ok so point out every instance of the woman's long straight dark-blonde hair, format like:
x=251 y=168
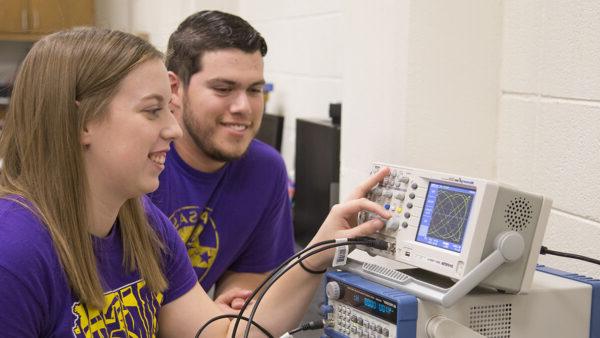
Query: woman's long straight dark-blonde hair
x=67 y=80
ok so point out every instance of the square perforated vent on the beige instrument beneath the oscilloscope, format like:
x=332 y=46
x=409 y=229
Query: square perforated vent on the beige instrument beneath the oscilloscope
x=491 y=321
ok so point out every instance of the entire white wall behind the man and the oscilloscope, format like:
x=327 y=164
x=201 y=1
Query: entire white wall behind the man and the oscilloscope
x=500 y=89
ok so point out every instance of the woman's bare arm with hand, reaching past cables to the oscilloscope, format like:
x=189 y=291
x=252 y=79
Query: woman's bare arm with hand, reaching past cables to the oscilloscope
x=285 y=303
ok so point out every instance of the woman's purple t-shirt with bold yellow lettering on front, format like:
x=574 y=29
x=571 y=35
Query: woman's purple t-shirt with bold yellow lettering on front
x=35 y=297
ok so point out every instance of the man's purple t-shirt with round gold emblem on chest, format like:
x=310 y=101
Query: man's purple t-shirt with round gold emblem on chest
x=238 y=218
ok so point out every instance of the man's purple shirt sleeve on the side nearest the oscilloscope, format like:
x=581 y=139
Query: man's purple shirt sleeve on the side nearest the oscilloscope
x=273 y=241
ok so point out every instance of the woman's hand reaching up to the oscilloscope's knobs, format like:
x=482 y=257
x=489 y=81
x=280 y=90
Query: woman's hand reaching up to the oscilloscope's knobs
x=342 y=219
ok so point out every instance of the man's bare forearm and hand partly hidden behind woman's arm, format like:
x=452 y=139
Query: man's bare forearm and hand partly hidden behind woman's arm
x=233 y=288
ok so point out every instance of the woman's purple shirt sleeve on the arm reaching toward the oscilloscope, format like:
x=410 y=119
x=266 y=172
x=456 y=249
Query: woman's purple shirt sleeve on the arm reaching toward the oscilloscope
x=176 y=263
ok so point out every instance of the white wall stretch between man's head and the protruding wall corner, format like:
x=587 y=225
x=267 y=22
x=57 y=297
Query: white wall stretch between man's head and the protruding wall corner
x=304 y=61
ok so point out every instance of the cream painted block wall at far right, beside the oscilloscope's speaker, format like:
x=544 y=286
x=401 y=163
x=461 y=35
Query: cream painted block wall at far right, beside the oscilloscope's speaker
x=549 y=127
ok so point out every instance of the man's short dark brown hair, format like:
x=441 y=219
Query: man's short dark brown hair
x=209 y=31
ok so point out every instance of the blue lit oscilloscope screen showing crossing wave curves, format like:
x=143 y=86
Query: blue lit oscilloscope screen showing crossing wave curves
x=445 y=216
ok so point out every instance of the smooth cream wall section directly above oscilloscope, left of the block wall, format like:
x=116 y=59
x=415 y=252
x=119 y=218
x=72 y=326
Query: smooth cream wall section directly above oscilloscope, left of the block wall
x=422 y=84
